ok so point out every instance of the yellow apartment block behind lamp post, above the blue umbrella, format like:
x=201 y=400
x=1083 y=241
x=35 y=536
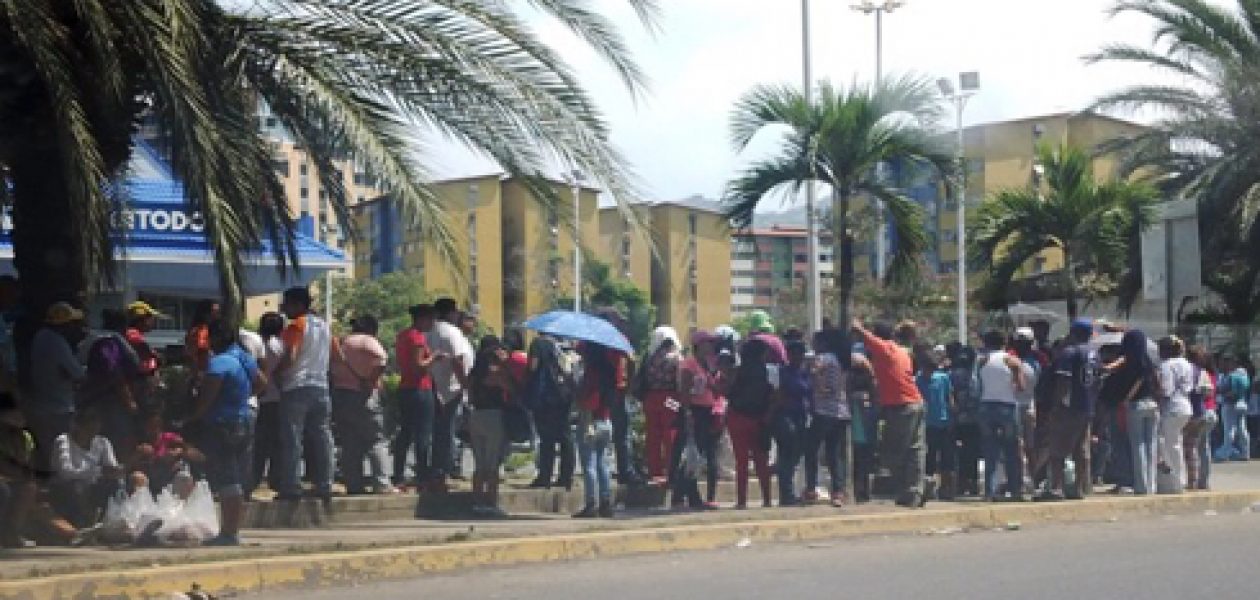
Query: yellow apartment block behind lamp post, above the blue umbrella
x=539 y=246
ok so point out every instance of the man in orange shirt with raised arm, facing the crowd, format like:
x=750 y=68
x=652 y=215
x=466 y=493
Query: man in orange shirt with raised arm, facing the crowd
x=902 y=409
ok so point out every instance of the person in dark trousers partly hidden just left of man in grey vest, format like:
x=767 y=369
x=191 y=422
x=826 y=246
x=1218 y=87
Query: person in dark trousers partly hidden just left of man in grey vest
x=265 y=457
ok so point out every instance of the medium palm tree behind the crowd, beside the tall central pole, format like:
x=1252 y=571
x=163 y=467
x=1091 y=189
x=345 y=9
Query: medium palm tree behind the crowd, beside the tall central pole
x=840 y=141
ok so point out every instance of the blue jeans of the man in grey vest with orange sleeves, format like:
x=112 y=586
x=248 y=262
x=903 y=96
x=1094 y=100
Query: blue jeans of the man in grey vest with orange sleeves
x=306 y=427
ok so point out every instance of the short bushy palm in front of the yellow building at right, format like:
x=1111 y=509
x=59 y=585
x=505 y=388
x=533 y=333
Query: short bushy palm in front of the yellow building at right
x=1096 y=226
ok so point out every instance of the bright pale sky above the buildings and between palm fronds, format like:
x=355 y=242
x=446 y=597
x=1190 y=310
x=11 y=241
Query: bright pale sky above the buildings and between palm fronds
x=707 y=54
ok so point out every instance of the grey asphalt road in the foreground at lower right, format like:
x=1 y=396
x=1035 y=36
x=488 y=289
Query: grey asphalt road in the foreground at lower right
x=1152 y=559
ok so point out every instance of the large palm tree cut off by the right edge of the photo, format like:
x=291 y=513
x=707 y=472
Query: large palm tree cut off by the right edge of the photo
x=1204 y=143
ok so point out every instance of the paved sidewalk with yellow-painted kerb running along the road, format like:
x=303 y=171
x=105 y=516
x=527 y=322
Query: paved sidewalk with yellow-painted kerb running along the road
x=395 y=549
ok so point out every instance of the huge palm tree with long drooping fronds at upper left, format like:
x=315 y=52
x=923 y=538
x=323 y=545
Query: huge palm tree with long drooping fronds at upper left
x=366 y=79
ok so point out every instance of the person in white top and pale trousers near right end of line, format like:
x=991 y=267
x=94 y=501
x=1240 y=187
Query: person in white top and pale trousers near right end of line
x=1179 y=383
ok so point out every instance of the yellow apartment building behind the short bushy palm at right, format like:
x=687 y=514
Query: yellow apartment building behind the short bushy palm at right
x=1002 y=156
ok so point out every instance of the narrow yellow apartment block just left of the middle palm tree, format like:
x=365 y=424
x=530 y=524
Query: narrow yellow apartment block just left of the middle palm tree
x=691 y=278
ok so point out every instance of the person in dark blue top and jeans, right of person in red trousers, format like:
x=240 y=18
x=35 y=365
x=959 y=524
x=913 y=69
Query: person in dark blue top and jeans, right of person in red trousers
x=791 y=420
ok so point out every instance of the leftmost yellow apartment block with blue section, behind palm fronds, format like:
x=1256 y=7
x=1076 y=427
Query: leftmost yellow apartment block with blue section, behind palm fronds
x=389 y=244
